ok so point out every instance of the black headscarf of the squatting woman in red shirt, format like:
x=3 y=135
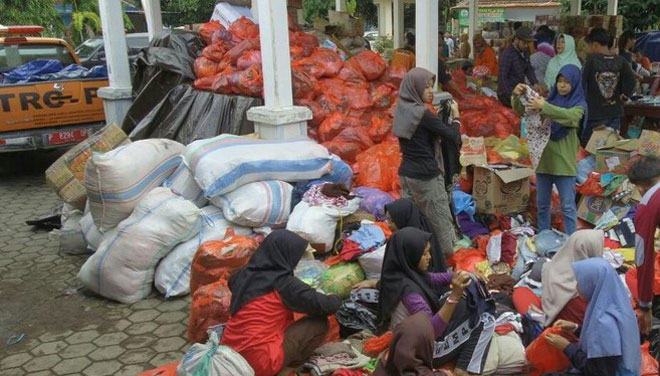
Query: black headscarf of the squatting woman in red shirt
x=269 y=269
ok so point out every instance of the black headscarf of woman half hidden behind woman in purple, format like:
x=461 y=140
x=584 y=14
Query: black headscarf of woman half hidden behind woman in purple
x=404 y=213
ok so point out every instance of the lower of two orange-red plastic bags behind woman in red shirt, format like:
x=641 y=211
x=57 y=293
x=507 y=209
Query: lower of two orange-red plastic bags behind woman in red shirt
x=210 y=307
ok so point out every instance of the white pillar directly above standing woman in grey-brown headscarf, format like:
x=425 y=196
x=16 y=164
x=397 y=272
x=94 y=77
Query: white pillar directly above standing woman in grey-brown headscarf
x=426 y=36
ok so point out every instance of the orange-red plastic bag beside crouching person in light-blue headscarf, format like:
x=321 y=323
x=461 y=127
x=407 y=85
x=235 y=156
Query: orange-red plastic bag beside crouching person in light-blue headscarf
x=544 y=358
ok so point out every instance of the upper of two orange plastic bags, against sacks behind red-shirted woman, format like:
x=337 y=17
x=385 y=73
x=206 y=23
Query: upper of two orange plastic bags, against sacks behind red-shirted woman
x=219 y=259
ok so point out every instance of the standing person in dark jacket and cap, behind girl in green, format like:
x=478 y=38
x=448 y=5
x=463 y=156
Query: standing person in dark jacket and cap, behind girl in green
x=515 y=66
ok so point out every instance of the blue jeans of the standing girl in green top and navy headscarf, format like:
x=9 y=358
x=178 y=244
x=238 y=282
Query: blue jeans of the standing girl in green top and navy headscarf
x=566 y=187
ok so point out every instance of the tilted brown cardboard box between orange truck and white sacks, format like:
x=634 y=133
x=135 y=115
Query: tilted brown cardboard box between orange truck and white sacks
x=66 y=175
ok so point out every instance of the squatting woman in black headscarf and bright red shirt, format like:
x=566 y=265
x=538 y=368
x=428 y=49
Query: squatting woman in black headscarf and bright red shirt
x=264 y=296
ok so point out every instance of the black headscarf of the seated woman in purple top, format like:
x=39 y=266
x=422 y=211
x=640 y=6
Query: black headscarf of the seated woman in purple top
x=400 y=276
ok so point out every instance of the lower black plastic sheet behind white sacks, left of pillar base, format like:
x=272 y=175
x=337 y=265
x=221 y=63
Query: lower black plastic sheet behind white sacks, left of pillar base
x=186 y=115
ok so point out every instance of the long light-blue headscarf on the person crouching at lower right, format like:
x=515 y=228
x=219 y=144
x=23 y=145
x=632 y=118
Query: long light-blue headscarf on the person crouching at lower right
x=610 y=325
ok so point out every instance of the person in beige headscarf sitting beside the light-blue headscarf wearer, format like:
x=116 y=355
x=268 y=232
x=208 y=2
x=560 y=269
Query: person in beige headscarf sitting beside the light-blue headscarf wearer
x=560 y=299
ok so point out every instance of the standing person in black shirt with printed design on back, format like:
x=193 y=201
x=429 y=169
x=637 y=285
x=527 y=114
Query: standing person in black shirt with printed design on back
x=608 y=80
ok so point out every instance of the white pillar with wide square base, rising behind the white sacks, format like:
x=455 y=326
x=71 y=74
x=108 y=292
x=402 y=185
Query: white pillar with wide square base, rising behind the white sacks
x=278 y=118
